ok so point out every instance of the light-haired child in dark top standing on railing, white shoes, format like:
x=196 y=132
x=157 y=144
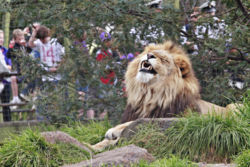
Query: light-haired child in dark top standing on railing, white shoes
x=15 y=54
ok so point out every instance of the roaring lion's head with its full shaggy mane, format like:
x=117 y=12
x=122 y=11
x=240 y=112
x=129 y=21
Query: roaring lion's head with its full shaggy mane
x=160 y=82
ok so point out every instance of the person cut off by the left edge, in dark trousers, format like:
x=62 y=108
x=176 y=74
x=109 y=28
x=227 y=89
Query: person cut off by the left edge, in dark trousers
x=5 y=88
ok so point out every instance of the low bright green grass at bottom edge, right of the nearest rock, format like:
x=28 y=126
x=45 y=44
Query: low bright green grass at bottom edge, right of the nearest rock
x=173 y=161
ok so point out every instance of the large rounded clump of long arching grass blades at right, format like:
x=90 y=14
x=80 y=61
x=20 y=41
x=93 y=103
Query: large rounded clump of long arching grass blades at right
x=211 y=138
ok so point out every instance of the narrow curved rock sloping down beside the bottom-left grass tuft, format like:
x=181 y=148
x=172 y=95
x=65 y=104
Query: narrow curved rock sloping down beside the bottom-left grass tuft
x=55 y=136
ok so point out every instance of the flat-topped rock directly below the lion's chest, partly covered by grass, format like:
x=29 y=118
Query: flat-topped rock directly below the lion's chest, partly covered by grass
x=163 y=124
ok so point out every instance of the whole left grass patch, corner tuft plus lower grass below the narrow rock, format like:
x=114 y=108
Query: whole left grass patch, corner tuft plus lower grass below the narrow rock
x=30 y=149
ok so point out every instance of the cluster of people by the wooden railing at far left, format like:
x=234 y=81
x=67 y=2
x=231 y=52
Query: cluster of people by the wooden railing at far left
x=35 y=41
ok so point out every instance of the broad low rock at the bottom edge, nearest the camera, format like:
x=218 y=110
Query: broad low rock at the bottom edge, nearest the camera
x=124 y=156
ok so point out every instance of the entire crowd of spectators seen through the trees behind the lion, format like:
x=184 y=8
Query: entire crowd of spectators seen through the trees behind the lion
x=36 y=40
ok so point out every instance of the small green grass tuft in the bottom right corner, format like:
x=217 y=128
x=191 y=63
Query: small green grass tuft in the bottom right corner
x=243 y=159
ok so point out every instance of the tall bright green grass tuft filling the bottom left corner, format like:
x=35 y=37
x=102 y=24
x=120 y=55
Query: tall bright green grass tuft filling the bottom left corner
x=29 y=149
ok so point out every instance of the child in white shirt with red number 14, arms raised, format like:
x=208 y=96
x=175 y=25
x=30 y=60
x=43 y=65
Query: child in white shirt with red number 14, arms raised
x=50 y=51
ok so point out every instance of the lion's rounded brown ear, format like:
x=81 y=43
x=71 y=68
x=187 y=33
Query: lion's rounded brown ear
x=184 y=65
